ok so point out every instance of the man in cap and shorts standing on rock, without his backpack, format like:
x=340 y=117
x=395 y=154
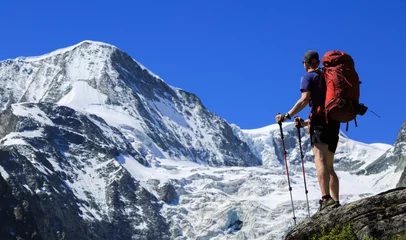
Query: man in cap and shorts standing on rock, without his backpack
x=323 y=135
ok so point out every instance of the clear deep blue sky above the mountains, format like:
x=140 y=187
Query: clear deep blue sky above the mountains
x=242 y=58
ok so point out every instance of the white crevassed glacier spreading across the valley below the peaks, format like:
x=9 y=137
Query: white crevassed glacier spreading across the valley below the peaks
x=212 y=199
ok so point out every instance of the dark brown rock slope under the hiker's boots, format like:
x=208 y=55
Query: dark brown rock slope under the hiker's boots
x=380 y=216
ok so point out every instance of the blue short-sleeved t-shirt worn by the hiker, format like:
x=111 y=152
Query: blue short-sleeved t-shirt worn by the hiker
x=310 y=82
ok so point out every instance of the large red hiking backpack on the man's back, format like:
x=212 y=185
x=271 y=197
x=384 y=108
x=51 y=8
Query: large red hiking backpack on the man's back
x=343 y=87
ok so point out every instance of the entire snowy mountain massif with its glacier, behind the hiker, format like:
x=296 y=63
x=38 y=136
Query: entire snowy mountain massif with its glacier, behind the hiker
x=102 y=148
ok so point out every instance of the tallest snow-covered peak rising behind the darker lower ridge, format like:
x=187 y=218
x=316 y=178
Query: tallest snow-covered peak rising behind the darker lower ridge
x=98 y=78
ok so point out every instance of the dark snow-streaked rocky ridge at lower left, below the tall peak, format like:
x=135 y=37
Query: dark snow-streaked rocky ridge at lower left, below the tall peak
x=64 y=180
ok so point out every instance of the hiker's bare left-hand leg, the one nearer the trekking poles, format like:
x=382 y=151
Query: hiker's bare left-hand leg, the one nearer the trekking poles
x=320 y=151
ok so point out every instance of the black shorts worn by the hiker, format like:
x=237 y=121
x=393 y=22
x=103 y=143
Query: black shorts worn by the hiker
x=322 y=132
